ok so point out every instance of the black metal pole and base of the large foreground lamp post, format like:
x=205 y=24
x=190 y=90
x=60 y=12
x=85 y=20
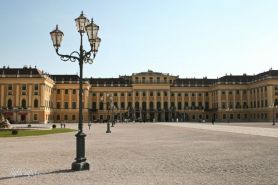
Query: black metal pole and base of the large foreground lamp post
x=80 y=160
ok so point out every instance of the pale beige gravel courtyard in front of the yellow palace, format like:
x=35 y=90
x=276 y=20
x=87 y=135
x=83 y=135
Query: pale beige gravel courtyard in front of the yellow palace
x=143 y=154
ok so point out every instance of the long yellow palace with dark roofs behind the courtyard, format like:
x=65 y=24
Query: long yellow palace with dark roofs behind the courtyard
x=29 y=95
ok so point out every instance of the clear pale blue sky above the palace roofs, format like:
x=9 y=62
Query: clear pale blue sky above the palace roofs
x=189 y=38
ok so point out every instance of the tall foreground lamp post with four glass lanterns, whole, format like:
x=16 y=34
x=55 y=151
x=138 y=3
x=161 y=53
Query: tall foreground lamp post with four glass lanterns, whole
x=83 y=25
